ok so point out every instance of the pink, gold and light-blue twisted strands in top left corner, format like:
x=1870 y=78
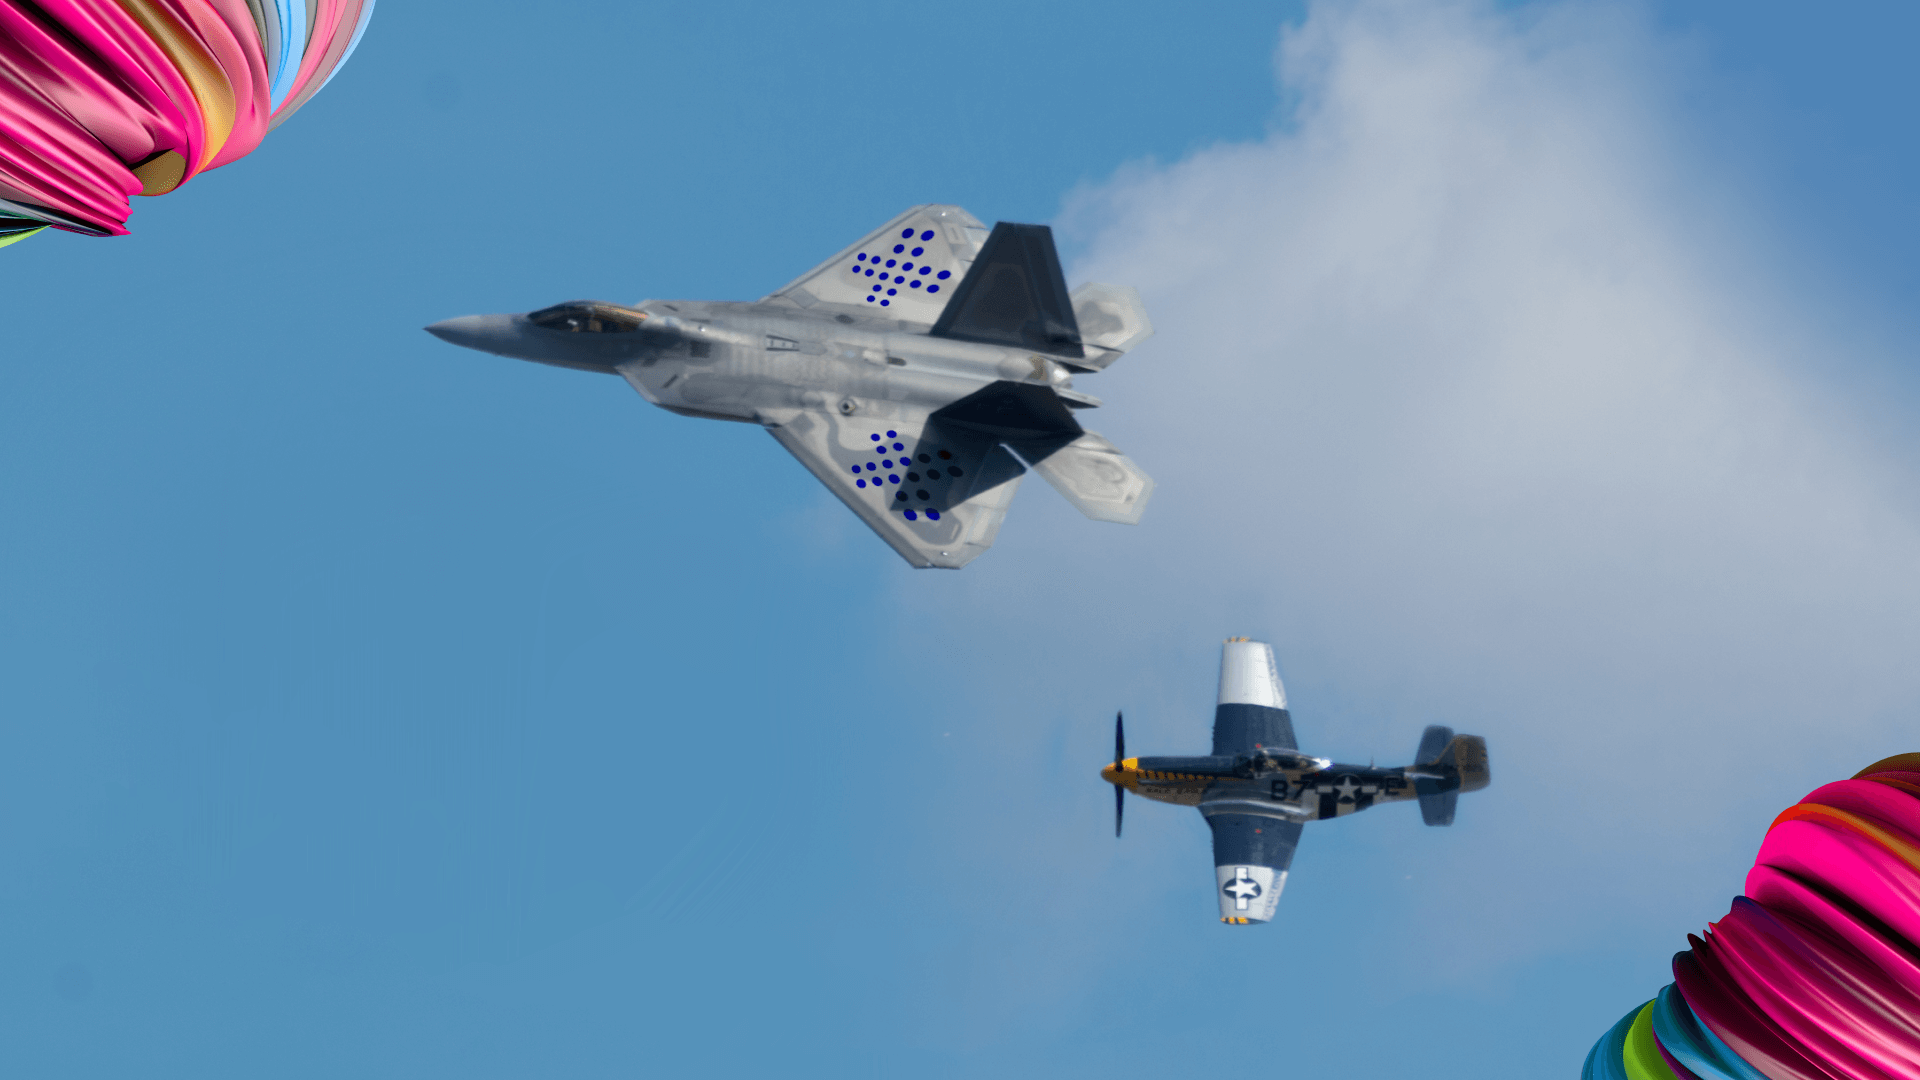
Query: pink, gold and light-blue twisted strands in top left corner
x=108 y=99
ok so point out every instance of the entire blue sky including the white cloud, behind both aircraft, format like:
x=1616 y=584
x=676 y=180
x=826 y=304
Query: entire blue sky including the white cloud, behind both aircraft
x=379 y=708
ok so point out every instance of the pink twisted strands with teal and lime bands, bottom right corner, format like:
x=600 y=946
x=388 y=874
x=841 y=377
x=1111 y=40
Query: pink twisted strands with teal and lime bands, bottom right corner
x=1815 y=973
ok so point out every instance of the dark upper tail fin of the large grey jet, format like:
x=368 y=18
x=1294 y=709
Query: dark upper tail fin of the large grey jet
x=1015 y=295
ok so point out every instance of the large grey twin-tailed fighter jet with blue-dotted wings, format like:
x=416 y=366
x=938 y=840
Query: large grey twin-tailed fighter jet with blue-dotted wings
x=919 y=374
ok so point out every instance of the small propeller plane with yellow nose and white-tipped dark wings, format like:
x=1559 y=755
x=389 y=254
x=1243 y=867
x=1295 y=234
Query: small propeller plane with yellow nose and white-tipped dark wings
x=1259 y=791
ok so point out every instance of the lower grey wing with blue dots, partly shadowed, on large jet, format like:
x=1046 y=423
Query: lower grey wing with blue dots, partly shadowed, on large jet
x=936 y=493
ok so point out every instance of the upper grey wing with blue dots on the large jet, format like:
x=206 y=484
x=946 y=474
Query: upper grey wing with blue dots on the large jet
x=909 y=266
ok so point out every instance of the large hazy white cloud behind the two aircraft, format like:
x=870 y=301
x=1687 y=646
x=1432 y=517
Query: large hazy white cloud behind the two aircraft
x=1474 y=393
